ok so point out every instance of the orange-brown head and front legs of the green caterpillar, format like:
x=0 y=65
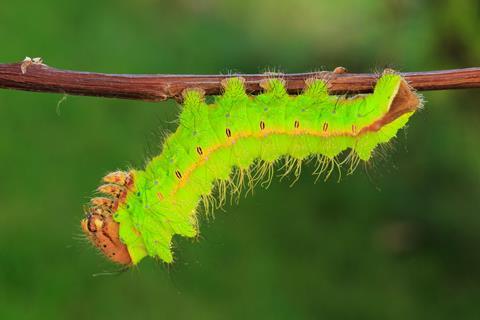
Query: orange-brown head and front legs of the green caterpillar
x=99 y=225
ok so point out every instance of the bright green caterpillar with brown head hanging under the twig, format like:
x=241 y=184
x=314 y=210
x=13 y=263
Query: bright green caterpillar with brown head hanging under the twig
x=233 y=142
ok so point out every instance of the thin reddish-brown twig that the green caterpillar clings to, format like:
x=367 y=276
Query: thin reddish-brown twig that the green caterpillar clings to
x=32 y=75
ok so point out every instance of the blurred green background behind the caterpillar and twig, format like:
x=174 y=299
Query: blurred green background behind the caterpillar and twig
x=398 y=240
